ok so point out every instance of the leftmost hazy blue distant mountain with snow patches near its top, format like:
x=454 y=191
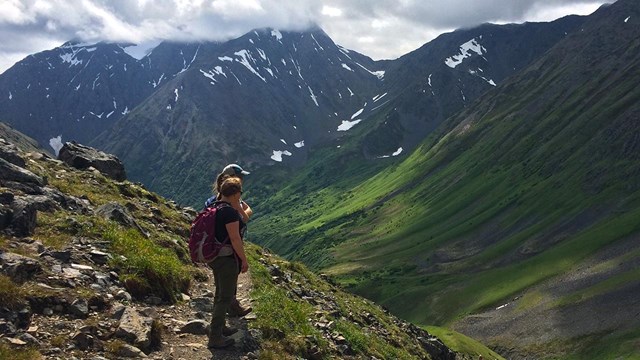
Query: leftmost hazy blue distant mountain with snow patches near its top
x=77 y=91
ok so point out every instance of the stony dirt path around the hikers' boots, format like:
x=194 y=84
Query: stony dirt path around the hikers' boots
x=194 y=347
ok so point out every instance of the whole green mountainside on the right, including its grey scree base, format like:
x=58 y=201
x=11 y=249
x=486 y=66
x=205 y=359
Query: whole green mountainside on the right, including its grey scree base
x=515 y=222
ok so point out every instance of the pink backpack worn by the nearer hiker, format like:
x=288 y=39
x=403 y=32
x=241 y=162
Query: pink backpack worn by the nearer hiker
x=203 y=245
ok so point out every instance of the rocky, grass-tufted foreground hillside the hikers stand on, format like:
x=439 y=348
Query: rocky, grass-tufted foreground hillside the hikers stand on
x=92 y=267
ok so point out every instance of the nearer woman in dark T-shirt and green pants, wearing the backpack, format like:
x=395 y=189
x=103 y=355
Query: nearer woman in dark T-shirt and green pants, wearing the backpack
x=229 y=223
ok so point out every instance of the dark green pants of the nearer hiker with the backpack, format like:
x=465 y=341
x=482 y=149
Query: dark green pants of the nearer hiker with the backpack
x=225 y=274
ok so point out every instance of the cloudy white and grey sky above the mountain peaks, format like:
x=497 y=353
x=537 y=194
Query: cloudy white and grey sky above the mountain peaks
x=381 y=29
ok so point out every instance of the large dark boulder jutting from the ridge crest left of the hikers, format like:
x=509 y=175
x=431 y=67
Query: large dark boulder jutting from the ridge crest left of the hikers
x=82 y=157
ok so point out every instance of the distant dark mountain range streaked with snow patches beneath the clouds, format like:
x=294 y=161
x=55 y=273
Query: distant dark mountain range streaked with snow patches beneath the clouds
x=178 y=114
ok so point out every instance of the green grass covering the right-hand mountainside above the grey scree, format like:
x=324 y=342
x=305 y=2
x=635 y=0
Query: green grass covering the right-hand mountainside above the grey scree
x=536 y=178
